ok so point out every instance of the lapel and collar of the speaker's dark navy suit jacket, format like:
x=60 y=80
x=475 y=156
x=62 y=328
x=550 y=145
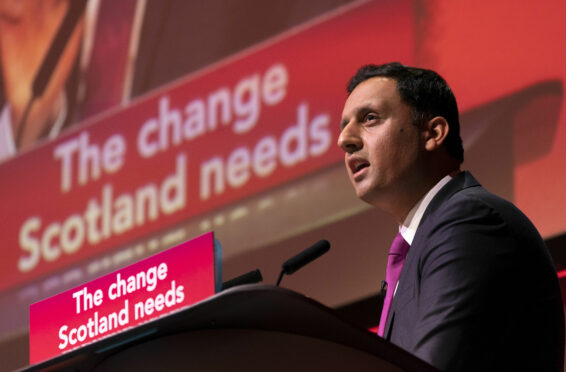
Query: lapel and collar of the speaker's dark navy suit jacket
x=404 y=293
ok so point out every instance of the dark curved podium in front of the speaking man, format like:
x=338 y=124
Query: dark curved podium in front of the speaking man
x=250 y=327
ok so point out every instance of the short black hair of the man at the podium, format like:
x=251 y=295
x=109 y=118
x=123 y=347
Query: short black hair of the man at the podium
x=426 y=92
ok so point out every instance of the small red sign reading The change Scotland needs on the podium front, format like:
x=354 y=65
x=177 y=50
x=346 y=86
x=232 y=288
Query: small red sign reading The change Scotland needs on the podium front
x=152 y=288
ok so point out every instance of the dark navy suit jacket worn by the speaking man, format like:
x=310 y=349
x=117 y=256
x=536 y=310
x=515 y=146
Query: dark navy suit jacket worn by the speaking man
x=478 y=290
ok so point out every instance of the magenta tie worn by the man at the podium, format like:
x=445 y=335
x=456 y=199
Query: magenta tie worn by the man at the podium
x=397 y=254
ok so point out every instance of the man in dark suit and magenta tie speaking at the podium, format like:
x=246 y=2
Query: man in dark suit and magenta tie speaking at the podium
x=470 y=284
